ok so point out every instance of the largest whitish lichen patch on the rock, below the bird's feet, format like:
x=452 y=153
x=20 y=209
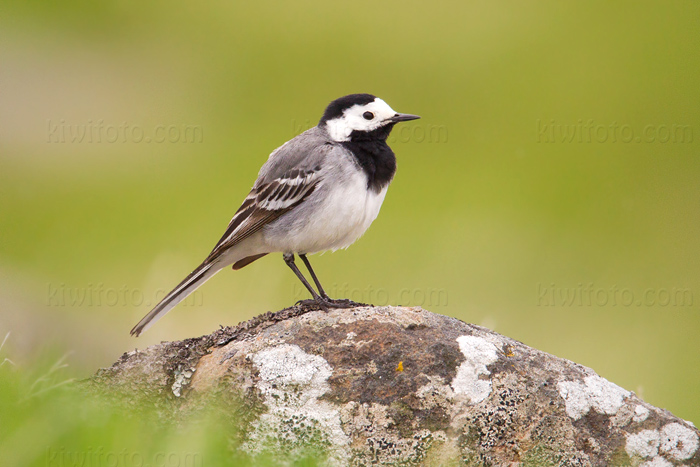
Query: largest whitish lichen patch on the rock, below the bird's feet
x=291 y=382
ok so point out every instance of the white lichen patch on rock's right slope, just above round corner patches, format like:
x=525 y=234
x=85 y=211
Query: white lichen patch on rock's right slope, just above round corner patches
x=593 y=393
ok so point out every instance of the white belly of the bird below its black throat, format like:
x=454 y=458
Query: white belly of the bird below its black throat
x=327 y=220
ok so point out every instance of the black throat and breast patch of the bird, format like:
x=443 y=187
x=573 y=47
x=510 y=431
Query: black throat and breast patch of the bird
x=374 y=156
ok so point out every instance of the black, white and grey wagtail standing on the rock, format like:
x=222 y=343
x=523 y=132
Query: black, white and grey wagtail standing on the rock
x=319 y=191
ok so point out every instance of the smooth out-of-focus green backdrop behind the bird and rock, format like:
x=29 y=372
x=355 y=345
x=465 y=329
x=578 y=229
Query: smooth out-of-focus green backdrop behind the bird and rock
x=557 y=154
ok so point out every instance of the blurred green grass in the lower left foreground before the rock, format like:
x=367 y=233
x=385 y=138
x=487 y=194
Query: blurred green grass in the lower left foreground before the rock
x=49 y=423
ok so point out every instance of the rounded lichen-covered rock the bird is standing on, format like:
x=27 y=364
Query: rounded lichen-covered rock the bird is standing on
x=392 y=385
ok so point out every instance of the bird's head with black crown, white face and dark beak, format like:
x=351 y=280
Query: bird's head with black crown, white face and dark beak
x=360 y=117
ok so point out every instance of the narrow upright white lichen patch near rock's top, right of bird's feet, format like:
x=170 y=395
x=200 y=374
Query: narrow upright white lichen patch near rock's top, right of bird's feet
x=478 y=353
